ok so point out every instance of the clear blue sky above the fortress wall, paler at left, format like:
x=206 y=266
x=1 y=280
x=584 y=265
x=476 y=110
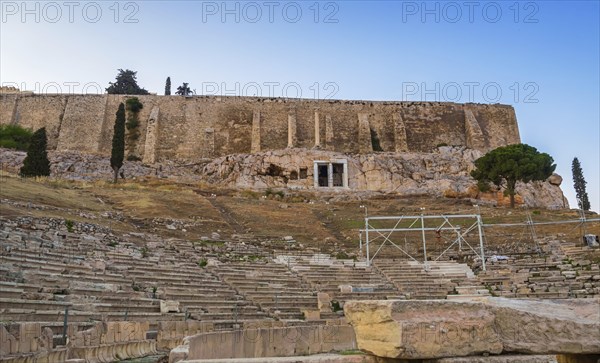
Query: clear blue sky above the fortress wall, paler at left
x=542 y=57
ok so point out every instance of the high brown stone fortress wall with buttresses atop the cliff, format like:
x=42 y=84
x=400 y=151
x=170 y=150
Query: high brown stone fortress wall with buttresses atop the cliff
x=191 y=128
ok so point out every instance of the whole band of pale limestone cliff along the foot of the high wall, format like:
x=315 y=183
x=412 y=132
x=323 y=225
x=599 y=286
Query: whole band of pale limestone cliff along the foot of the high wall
x=444 y=173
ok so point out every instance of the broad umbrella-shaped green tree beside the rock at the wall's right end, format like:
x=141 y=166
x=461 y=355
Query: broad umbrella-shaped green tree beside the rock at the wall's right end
x=506 y=165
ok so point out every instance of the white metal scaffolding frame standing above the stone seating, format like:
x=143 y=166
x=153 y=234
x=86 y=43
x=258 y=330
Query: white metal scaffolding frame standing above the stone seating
x=444 y=225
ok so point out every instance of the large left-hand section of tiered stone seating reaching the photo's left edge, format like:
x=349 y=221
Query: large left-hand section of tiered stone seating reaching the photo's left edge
x=43 y=275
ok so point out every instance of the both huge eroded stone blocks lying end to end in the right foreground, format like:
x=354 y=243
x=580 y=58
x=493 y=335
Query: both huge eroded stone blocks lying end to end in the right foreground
x=436 y=329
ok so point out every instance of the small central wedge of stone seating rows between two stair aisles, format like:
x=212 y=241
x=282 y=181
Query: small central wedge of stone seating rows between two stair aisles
x=271 y=286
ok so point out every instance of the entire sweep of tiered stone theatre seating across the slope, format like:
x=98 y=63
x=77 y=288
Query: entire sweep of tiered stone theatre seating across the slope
x=99 y=277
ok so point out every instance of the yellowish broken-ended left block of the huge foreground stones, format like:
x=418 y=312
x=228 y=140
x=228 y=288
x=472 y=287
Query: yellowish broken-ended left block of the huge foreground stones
x=422 y=329
